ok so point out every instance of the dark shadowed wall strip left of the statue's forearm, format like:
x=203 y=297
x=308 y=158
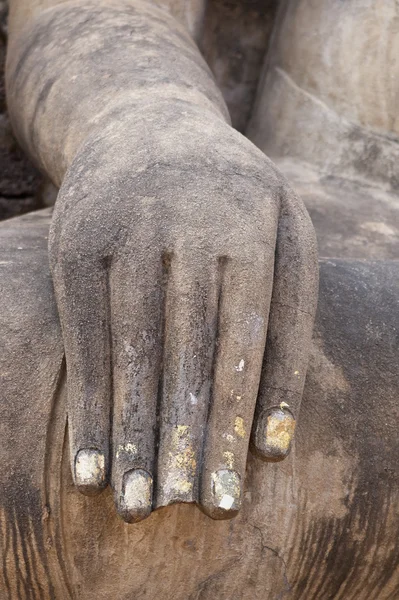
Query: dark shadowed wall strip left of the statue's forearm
x=19 y=181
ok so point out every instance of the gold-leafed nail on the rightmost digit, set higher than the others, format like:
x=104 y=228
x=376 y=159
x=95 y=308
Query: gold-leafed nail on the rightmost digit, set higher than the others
x=275 y=433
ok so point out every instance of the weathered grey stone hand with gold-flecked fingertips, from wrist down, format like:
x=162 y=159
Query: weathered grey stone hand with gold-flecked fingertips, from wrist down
x=171 y=268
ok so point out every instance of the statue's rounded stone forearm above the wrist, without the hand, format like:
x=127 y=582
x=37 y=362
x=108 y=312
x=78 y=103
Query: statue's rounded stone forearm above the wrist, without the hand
x=77 y=67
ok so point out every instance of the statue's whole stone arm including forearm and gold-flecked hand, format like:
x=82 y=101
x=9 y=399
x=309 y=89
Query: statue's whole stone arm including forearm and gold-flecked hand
x=184 y=267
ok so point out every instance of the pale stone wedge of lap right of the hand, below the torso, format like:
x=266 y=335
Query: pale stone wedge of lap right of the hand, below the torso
x=352 y=219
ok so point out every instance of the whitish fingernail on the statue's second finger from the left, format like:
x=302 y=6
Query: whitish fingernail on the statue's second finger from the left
x=136 y=501
